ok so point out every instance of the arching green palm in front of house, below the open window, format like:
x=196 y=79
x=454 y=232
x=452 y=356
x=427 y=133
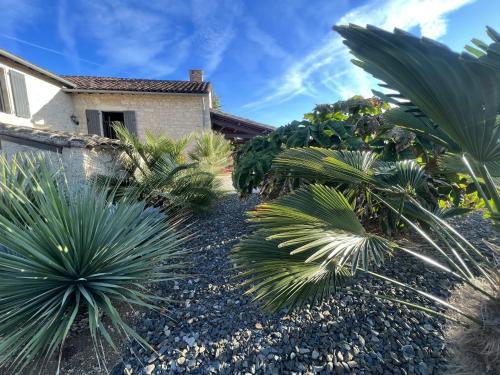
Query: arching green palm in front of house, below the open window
x=155 y=172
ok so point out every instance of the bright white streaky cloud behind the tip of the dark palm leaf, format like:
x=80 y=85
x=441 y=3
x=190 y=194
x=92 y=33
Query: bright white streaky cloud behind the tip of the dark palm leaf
x=329 y=67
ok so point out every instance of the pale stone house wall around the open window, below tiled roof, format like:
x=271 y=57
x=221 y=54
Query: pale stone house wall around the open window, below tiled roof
x=174 y=115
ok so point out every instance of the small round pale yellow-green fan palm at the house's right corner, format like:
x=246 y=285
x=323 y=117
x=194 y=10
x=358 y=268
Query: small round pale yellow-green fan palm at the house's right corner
x=211 y=151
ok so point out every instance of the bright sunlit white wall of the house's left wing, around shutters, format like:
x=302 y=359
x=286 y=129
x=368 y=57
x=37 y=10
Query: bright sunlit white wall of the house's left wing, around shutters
x=50 y=107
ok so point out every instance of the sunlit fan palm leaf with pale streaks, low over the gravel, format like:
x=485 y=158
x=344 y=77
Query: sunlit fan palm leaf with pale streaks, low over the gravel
x=308 y=240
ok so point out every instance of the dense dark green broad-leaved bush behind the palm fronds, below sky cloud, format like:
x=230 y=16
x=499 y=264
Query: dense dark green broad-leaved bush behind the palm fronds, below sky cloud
x=354 y=124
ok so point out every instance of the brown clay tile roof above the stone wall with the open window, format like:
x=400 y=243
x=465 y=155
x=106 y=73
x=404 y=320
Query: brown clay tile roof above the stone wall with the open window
x=137 y=85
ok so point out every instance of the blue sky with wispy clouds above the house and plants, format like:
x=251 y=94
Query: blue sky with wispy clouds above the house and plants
x=269 y=60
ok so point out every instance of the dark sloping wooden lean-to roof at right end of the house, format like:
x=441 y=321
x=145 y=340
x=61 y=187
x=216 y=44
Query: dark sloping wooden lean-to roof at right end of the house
x=235 y=128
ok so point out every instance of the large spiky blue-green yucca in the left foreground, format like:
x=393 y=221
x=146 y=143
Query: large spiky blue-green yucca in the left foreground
x=73 y=251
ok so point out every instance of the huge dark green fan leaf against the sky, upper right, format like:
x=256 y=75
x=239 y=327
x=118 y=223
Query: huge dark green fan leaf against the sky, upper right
x=458 y=93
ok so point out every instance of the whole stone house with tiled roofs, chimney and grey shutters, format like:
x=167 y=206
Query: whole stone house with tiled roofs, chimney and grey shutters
x=73 y=115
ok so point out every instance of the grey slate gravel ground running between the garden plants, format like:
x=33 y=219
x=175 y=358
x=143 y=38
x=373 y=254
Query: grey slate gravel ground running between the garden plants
x=215 y=329
